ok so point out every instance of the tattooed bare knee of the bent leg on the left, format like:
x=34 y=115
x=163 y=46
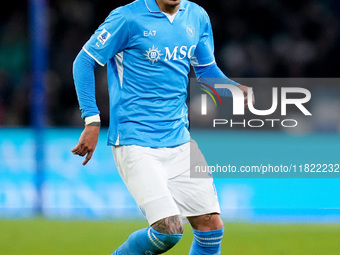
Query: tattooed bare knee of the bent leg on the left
x=169 y=225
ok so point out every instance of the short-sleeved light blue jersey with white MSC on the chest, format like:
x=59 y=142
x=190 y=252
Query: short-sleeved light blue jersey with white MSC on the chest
x=148 y=59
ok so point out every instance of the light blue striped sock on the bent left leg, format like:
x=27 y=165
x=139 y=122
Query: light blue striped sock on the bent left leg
x=147 y=241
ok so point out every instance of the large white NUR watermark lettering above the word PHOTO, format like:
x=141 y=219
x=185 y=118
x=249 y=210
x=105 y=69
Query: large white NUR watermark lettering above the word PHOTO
x=238 y=100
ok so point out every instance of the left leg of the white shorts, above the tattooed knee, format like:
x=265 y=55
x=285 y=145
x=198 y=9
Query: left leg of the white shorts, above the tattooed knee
x=144 y=176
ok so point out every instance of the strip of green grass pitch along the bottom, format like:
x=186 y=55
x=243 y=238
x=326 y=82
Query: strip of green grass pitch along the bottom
x=44 y=237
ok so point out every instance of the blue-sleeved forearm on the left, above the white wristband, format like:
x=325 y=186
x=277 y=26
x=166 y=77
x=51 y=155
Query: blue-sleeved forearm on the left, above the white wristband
x=84 y=80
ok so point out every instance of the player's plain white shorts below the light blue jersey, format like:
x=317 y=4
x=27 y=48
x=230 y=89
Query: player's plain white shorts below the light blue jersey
x=159 y=181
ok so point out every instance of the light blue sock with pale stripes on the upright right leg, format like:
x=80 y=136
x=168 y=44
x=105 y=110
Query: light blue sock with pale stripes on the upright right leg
x=207 y=242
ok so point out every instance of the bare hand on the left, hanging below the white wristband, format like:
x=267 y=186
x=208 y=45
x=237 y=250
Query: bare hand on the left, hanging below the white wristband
x=87 y=143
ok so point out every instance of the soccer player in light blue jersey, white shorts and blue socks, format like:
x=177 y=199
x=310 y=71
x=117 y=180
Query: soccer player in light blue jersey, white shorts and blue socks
x=148 y=46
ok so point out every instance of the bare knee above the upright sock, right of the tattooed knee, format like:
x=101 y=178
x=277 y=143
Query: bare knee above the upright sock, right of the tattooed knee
x=206 y=222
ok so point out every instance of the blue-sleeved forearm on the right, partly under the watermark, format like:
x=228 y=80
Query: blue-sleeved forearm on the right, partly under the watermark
x=212 y=75
